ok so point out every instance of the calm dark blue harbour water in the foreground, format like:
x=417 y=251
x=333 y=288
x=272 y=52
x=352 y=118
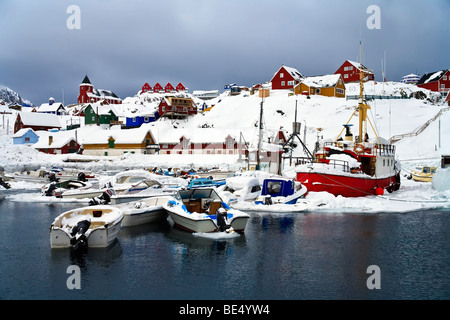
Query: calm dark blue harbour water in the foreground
x=297 y=256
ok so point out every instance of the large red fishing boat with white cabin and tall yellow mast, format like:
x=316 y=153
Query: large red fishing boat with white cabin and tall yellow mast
x=351 y=166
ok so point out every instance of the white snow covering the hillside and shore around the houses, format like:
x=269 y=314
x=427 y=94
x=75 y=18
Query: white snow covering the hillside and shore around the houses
x=240 y=113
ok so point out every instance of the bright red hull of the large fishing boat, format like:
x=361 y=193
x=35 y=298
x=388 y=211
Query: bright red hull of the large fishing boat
x=347 y=186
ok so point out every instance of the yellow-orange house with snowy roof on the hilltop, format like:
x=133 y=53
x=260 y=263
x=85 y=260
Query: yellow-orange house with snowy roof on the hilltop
x=331 y=85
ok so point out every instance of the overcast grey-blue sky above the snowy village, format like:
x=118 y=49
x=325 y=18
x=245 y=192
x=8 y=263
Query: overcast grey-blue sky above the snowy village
x=206 y=44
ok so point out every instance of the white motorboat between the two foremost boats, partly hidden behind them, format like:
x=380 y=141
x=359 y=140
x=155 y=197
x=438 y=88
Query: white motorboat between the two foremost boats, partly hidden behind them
x=143 y=211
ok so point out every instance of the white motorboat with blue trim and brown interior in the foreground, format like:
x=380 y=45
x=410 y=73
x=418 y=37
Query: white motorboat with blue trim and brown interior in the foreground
x=202 y=210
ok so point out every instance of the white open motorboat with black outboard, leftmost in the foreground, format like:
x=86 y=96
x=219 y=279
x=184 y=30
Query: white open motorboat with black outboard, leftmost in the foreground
x=93 y=226
